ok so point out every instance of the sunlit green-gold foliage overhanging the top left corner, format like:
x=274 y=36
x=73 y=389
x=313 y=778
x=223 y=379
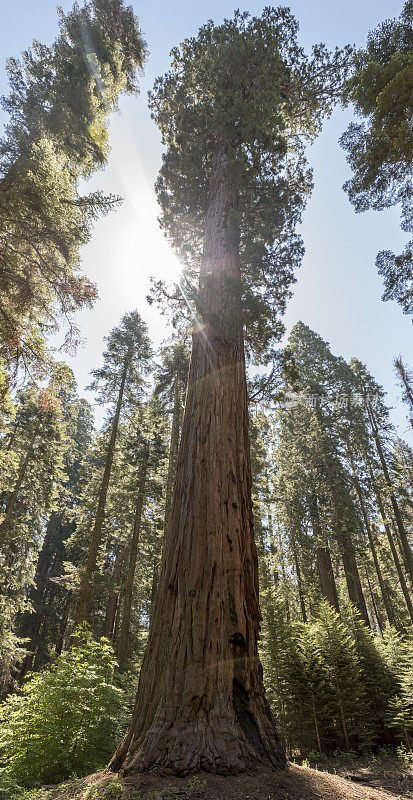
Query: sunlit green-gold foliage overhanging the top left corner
x=59 y=102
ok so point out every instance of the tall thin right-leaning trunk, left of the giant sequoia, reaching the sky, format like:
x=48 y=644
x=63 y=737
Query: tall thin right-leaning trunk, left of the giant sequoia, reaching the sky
x=85 y=598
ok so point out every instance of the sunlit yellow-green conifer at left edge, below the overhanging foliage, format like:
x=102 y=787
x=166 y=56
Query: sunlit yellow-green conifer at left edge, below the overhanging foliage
x=31 y=486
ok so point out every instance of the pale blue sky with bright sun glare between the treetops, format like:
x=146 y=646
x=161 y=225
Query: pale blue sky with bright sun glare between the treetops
x=338 y=290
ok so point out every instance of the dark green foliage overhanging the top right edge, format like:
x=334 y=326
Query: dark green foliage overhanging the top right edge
x=380 y=148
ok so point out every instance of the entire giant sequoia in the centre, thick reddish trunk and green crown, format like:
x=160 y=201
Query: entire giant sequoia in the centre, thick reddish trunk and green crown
x=234 y=110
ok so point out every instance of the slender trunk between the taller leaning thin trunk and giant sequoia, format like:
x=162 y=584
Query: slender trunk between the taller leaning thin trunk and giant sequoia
x=133 y=555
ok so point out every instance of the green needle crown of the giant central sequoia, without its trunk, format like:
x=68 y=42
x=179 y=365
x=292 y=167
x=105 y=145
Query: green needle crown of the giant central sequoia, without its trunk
x=246 y=92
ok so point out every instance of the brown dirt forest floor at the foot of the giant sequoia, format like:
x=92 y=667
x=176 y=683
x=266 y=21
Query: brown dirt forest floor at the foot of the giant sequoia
x=295 y=783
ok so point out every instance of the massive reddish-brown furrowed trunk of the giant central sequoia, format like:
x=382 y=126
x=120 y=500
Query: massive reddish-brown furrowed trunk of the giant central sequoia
x=200 y=702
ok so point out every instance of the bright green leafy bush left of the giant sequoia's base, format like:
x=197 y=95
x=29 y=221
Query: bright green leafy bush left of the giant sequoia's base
x=66 y=720
